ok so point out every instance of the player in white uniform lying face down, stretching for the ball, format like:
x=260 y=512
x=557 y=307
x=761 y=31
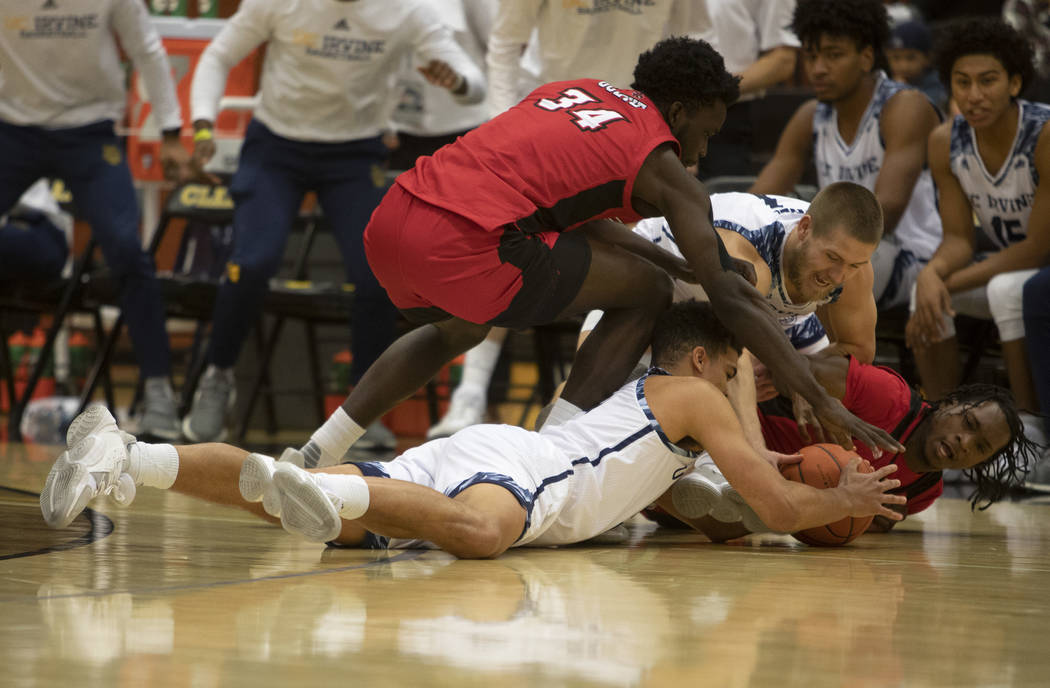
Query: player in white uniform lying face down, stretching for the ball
x=490 y=488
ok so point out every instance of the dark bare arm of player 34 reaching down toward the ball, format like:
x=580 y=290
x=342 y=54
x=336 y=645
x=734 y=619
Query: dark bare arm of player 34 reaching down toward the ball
x=664 y=186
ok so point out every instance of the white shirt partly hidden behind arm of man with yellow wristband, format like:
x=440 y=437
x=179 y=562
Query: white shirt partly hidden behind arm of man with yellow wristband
x=429 y=111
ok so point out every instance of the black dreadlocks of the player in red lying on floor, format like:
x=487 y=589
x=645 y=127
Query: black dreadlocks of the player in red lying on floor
x=1007 y=468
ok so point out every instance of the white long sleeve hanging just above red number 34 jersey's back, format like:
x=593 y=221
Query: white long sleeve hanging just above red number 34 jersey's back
x=514 y=26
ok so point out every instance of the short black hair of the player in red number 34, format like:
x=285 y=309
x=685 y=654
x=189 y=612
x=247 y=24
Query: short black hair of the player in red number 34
x=685 y=70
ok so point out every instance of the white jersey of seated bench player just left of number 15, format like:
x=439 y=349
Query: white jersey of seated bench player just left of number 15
x=919 y=228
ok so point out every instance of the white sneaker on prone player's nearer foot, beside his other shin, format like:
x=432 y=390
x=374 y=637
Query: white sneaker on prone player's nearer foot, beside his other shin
x=307 y=509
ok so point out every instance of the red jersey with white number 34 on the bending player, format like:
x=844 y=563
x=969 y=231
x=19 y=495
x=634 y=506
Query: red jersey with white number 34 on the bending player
x=568 y=154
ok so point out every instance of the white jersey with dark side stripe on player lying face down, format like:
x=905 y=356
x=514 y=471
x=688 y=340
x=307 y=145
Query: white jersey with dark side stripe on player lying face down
x=618 y=462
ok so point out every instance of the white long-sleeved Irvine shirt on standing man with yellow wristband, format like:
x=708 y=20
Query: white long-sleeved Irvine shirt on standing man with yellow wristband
x=331 y=68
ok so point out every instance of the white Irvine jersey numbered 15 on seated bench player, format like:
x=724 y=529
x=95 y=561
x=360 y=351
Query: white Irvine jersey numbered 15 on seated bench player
x=1003 y=200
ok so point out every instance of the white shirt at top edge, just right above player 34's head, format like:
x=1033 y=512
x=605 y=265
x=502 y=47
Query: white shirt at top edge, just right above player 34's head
x=744 y=30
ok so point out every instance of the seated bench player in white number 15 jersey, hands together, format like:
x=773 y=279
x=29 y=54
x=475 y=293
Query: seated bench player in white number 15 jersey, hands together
x=993 y=161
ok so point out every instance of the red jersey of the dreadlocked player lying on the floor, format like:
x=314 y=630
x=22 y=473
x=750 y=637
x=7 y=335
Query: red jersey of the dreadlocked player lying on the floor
x=874 y=394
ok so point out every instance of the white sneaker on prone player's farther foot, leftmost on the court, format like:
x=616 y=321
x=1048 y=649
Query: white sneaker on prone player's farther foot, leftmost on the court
x=95 y=466
